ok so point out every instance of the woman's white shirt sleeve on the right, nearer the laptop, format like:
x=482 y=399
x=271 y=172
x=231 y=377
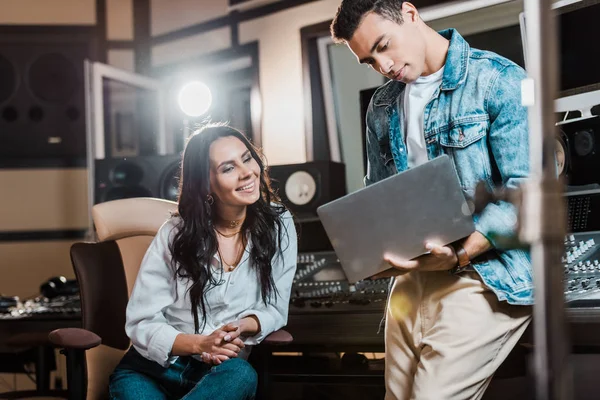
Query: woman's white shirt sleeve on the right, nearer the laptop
x=274 y=315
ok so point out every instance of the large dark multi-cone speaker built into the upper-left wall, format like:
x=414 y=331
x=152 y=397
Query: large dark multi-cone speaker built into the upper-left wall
x=42 y=98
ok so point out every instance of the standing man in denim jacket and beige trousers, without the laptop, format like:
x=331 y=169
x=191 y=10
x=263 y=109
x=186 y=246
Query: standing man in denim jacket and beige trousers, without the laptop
x=454 y=314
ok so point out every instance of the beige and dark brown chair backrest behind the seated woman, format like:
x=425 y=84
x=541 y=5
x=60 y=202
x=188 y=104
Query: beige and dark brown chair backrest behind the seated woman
x=107 y=271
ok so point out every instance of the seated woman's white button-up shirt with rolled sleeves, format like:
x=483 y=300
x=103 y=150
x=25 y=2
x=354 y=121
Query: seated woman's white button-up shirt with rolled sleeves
x=159 y=308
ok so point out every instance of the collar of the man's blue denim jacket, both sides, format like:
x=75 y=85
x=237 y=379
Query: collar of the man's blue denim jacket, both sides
x=455 y=69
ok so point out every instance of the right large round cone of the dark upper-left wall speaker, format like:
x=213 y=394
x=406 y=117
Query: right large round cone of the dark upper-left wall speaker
x=52 y=78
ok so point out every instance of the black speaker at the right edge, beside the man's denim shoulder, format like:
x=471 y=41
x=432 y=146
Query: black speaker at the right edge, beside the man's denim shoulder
x=579 y=141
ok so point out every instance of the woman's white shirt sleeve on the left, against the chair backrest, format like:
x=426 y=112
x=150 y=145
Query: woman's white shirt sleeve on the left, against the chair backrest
x=154 y=290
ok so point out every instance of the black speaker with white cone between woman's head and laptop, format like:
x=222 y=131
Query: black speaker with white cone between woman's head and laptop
x=305 y=187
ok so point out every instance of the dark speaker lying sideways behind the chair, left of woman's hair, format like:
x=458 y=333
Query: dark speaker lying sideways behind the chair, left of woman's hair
x=146 y=176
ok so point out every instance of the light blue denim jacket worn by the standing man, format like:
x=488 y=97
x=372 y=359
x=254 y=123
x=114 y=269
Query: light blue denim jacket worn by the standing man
x=475 y=117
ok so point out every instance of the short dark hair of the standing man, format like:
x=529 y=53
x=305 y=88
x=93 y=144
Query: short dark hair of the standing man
x=351 y=13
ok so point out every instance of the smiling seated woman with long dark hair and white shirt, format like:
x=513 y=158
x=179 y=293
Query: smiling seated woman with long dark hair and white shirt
x=215 y=280
